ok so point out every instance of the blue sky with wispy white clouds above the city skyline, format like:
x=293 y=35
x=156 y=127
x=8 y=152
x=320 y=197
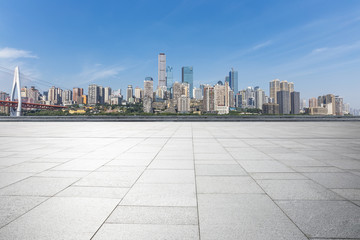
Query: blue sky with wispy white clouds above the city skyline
x=313 y=43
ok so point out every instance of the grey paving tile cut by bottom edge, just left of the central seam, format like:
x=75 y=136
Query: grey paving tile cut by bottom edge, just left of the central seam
x=147 y=232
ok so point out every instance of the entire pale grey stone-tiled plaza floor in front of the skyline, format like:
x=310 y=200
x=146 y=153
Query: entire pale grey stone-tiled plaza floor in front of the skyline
x=166 y=180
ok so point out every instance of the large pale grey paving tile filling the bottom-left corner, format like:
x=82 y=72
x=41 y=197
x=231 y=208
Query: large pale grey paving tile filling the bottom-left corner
x=61 y=218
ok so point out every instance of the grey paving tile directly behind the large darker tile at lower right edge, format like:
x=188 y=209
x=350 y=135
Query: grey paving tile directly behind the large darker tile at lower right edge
x=296 y=189
